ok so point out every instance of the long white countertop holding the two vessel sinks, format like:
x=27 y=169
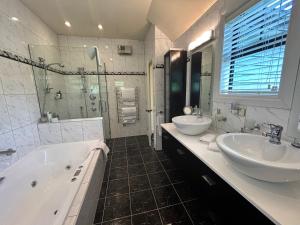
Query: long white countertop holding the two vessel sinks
x=280 y=202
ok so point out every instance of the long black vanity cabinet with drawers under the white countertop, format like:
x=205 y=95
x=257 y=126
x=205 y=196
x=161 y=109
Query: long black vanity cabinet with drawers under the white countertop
x=217 y=199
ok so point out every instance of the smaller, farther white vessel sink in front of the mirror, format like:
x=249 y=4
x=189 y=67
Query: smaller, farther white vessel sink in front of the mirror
x=191 y=125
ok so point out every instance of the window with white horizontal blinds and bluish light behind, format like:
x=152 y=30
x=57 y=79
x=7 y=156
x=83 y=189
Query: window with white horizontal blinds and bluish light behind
x=254 y=47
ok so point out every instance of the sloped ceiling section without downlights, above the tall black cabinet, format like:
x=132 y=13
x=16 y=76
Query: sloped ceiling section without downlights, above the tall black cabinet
x=174 y=17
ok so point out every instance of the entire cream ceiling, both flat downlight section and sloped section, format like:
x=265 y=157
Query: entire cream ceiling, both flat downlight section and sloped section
x=119 y=20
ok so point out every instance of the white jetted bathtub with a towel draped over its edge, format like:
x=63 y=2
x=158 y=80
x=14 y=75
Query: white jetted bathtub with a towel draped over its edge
x=41 y=188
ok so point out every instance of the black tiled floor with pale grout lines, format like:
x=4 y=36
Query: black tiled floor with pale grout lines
x=143 y=187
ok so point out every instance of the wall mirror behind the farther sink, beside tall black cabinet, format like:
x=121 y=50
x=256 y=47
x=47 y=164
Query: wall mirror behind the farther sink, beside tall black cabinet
x=201 y=79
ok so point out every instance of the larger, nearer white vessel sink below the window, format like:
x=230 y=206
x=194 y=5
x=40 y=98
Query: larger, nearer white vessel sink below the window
x=256 y=157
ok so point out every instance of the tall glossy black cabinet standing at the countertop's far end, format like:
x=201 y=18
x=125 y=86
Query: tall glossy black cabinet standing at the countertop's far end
x=175 y=83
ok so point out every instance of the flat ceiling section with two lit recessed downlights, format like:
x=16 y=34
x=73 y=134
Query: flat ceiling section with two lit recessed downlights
x=119 y=20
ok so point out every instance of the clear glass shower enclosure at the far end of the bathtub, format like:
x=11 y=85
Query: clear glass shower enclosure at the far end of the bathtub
x=72 y=83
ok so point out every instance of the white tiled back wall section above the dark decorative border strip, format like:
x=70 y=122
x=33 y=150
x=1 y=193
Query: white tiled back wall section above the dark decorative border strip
x=74 y=58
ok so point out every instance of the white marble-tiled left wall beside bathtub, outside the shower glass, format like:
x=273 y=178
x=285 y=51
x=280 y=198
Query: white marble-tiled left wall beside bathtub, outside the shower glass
x=19 y=109
